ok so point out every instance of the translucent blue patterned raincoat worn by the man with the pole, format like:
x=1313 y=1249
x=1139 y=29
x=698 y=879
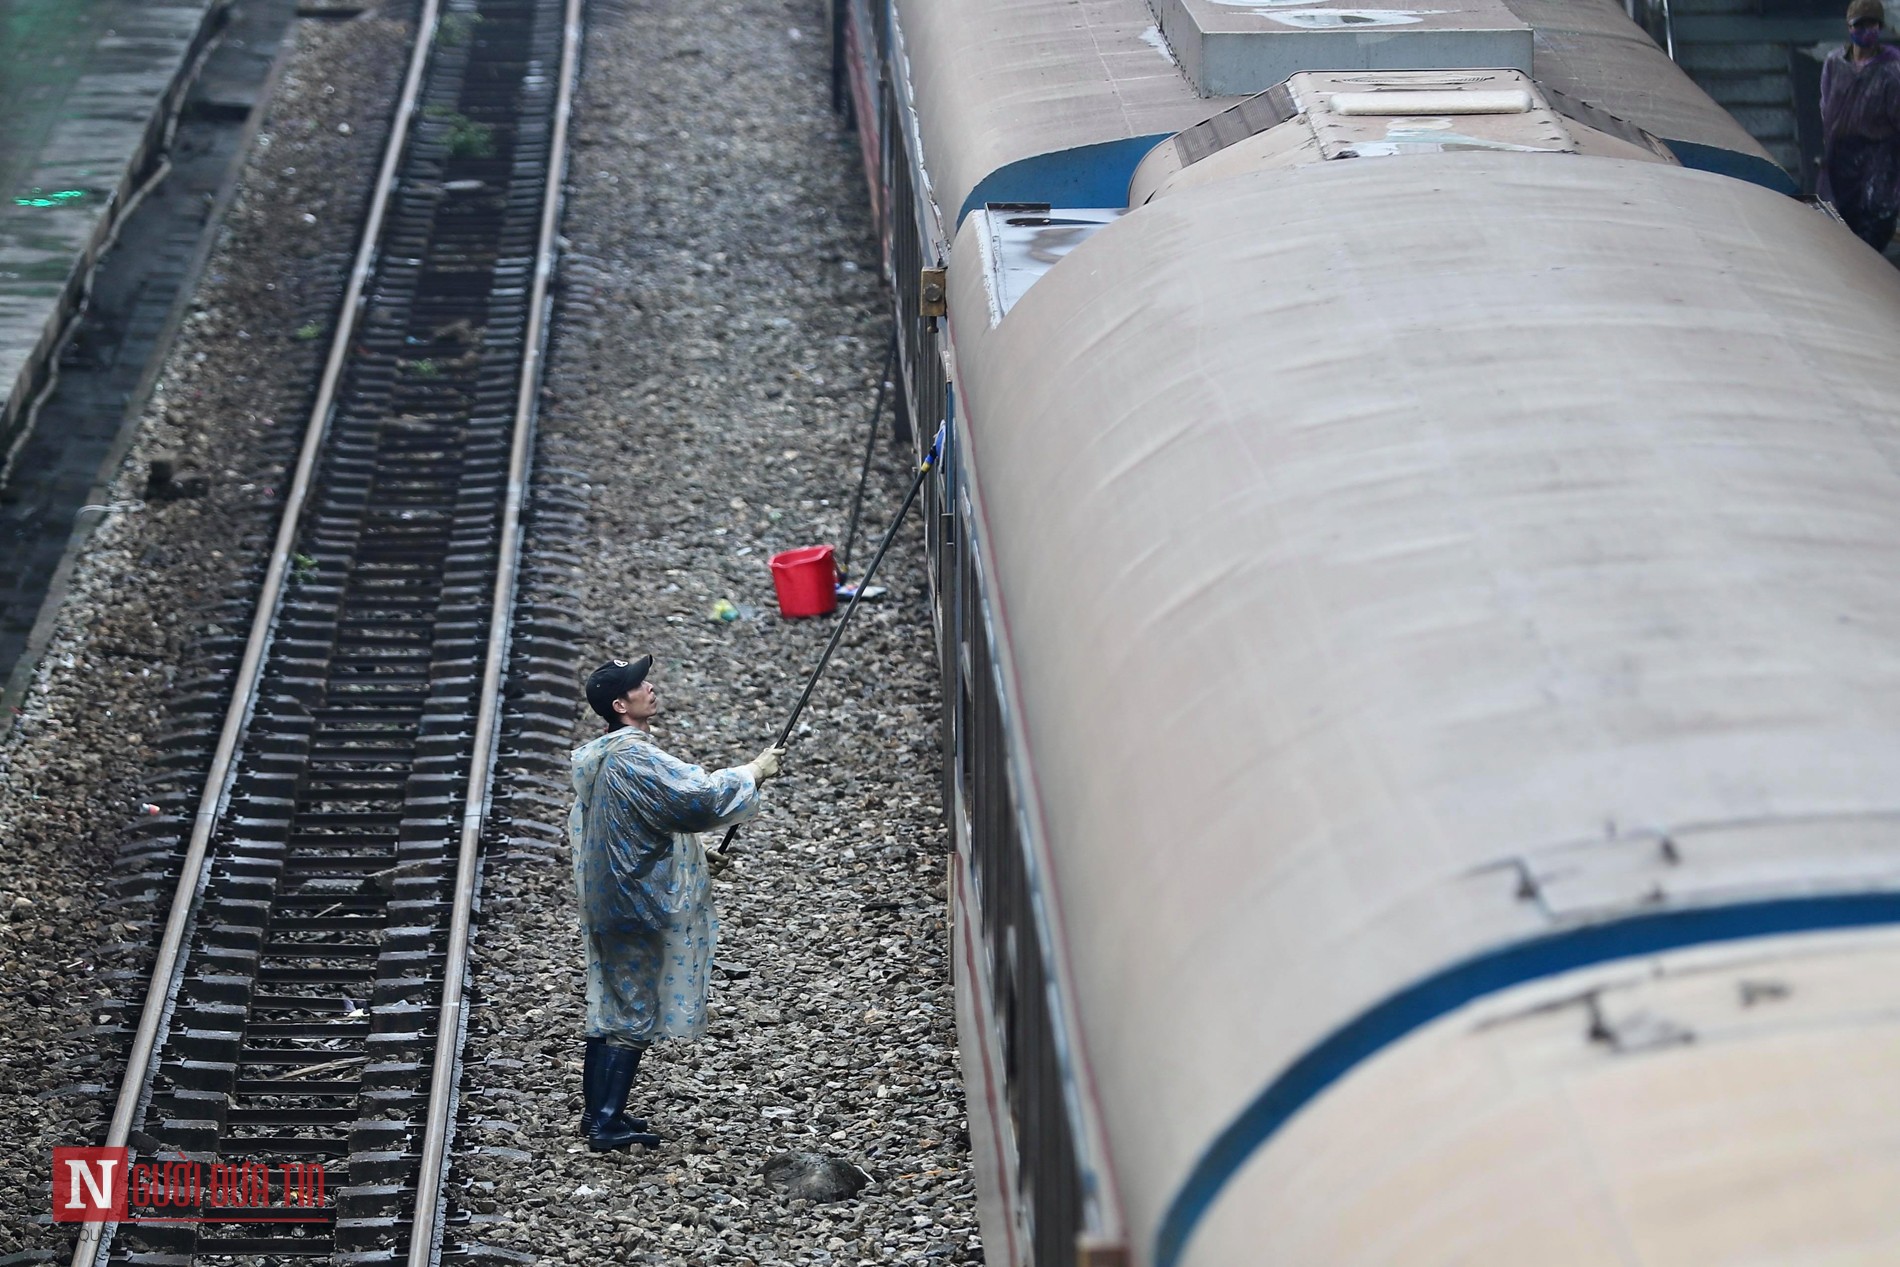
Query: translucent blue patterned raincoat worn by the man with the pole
x=643 y=882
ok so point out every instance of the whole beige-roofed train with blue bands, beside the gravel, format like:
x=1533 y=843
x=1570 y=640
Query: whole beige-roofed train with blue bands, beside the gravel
x=1420 y=690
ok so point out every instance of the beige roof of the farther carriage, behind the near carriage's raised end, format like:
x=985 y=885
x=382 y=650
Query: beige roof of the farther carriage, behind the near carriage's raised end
x=1004 y=83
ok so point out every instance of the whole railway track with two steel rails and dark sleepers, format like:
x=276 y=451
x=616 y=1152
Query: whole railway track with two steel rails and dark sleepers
x=309 y=994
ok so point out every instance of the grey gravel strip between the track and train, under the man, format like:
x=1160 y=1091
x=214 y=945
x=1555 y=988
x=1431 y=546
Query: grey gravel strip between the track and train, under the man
x=723 y=330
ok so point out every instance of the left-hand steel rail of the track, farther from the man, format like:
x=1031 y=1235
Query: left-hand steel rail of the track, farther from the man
x=162 y=991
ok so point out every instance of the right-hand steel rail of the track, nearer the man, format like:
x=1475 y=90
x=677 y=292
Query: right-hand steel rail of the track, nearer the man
x=427 y=1226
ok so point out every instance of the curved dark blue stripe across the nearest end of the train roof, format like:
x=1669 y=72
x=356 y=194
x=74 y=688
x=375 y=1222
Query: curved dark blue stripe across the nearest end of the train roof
x=1473 y=979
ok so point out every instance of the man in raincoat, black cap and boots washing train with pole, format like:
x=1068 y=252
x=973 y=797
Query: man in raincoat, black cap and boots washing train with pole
x=645 y=892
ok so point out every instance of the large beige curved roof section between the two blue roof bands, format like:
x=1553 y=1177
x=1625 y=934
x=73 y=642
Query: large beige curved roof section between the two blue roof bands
x=1397 y=563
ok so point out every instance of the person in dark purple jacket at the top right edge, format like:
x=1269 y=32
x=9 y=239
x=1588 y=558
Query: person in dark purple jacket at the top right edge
x=1861 y=128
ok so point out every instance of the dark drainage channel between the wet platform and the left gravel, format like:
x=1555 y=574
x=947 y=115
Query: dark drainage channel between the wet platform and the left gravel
x=109 y=364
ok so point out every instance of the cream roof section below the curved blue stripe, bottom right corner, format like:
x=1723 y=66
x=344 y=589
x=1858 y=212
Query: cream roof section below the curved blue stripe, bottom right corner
x=1724 y=1105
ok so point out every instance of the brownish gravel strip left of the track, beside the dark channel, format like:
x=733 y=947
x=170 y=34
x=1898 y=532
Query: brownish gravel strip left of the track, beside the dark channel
x=79 y=763
